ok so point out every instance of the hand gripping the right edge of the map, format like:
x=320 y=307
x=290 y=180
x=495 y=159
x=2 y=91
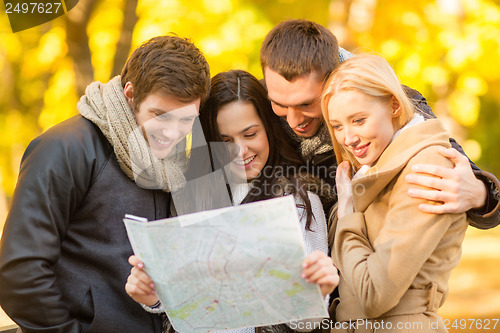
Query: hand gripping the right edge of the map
x=319 y=269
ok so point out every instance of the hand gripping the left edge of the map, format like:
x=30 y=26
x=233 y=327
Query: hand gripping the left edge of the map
x=139 y=285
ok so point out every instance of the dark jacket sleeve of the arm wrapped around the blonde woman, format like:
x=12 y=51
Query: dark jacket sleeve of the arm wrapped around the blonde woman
x=488 y=216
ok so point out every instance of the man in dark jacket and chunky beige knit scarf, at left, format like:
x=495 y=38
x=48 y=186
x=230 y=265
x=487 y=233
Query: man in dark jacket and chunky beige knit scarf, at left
x=64 y=251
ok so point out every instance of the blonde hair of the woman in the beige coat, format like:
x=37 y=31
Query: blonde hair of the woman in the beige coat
x=371 y=75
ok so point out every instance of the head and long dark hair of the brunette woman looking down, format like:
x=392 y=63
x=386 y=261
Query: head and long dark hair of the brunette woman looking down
x=238 y=97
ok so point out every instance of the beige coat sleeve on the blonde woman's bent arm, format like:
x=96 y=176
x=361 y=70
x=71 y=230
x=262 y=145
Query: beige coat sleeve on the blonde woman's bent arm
x=379 y=271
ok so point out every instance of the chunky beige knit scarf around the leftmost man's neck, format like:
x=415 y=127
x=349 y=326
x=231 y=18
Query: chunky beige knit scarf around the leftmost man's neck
x=105 y=105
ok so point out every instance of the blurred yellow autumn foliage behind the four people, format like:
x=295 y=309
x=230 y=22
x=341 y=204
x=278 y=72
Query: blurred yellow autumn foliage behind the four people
x=447 y=49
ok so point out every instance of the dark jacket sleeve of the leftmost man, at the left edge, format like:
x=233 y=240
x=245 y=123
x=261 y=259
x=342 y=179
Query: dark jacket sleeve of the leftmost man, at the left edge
x=54 y=176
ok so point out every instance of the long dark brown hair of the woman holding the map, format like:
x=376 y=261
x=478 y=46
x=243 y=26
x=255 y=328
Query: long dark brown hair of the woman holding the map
x=283 y=162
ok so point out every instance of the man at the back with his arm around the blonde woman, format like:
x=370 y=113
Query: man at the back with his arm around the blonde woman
x=296 y=58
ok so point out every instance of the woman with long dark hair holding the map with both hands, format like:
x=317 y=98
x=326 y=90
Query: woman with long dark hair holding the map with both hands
x=238 y=112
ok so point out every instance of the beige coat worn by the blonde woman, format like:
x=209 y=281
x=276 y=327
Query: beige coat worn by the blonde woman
x=395 y=260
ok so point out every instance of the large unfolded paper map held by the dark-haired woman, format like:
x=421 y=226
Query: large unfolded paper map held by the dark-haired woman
x=229 y=268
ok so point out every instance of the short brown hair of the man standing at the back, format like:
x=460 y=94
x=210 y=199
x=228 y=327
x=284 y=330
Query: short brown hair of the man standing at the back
x=298 y=47
